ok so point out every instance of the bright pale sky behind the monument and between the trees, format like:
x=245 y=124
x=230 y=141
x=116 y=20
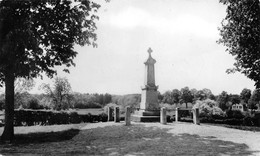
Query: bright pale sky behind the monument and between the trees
x=182 y=35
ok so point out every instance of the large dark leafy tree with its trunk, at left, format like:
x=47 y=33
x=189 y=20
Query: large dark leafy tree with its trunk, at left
x=36 y=36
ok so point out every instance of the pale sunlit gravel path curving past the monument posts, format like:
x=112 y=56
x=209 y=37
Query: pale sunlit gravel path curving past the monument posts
x=251 y=139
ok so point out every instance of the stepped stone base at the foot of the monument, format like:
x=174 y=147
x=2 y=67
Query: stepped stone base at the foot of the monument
x=146 y=116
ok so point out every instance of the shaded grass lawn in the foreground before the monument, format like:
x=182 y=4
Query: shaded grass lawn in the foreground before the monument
x=116 y=140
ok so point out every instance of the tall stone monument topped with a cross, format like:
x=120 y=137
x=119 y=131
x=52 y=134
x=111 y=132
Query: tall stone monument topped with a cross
x=149 y=107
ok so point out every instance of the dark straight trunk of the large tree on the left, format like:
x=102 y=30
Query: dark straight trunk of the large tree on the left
x=8 y=134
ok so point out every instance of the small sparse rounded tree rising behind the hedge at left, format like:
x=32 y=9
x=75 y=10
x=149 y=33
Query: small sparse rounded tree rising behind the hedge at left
x=60 y=93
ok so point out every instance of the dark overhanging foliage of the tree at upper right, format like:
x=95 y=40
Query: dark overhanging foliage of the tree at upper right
x=240 y=33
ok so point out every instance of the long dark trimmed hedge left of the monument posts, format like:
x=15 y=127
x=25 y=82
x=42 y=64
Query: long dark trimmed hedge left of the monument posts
x=34 y=117
